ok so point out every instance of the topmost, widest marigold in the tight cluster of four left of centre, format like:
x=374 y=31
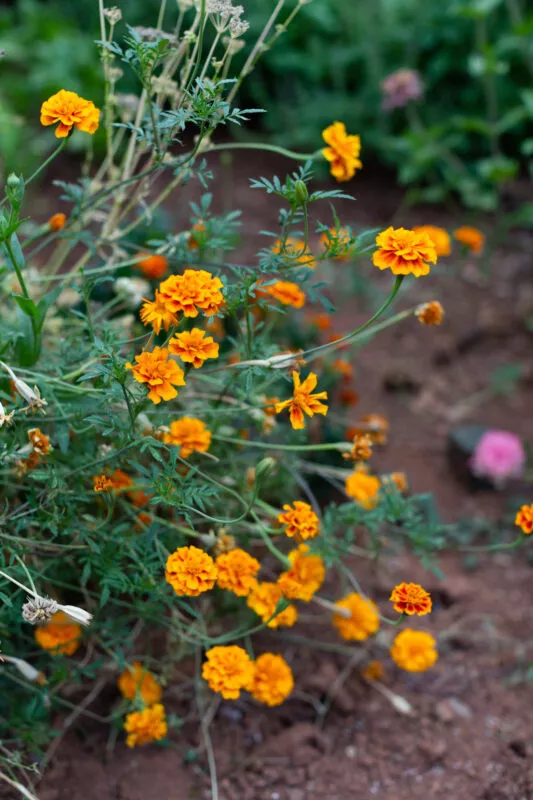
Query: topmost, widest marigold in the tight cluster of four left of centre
x=194 y=291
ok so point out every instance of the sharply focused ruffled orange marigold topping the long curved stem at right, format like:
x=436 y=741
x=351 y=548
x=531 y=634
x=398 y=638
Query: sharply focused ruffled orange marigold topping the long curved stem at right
x=404 y=252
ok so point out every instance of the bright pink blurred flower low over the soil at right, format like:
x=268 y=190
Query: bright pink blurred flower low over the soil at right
x=499 y=455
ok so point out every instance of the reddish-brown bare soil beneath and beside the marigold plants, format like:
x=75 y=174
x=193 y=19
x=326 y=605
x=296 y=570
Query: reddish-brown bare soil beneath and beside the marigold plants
x=470 y=733
